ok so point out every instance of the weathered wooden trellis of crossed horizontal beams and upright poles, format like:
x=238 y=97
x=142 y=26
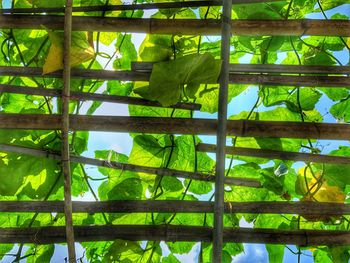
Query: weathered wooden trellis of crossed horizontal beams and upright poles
x=234 y=73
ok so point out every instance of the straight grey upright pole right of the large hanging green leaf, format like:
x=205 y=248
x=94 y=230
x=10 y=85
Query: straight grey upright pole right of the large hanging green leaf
x=221 y=132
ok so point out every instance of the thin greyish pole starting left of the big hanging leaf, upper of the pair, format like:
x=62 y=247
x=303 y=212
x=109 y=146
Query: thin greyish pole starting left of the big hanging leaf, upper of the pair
x=265 y=68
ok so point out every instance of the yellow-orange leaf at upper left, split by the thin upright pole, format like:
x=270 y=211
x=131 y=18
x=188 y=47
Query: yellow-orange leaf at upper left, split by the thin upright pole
x=81 y=51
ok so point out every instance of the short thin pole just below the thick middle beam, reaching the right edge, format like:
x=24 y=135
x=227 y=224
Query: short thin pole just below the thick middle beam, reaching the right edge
x=281 y=155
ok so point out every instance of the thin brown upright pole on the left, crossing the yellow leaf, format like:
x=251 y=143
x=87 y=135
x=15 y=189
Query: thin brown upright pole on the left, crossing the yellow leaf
x=65 y=132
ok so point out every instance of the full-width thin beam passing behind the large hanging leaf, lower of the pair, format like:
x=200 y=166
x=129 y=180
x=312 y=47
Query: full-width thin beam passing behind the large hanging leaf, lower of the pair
x=136 y=75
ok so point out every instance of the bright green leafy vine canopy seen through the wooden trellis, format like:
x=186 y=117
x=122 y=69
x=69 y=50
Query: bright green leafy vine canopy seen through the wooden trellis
x=186 y=69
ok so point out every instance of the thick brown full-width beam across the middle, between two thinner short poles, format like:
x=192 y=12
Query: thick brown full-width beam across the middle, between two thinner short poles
x=241 y=128
